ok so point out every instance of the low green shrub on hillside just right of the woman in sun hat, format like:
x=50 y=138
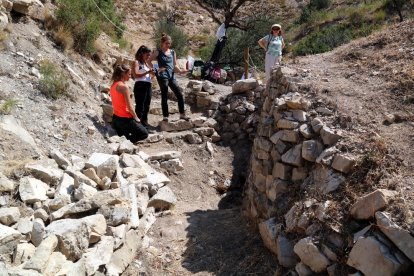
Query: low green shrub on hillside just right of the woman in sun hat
x=323 y=41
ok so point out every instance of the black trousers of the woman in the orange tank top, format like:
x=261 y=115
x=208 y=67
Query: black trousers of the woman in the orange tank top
x=129 y=128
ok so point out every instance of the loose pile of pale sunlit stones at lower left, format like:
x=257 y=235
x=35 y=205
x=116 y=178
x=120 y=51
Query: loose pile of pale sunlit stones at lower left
x=83 y=217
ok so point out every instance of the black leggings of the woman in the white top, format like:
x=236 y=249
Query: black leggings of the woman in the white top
x=142 y=93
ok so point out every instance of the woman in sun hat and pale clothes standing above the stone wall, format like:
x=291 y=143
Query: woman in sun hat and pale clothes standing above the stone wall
x=273 y=44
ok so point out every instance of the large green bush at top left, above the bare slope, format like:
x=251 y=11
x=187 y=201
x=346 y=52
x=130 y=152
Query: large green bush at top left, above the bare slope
x=85 y=22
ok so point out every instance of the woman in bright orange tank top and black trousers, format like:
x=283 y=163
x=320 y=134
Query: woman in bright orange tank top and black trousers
x=125 y=121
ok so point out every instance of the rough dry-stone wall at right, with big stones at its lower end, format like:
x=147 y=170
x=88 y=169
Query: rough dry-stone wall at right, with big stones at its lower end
x=297 y=171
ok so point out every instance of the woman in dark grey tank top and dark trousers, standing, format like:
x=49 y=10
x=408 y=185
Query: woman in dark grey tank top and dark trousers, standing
x=167 y=65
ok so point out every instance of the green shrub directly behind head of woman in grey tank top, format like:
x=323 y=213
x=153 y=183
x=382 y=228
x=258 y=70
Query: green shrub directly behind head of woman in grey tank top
x=179 y=38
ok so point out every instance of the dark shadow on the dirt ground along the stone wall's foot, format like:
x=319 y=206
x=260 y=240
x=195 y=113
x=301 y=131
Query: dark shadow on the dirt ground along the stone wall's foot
x=221 y=242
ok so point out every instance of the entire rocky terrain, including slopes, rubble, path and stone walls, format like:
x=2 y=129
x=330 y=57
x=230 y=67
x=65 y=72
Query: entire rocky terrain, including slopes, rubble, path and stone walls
x=310 y=173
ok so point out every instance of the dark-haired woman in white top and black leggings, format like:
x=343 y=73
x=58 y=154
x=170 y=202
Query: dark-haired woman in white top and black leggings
x=142 y=88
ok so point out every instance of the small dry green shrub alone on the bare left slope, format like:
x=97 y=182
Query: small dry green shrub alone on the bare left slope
x=54 y=82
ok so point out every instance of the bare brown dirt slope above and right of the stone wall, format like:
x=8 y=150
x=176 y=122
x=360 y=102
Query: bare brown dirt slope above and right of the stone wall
x=370 y=83
